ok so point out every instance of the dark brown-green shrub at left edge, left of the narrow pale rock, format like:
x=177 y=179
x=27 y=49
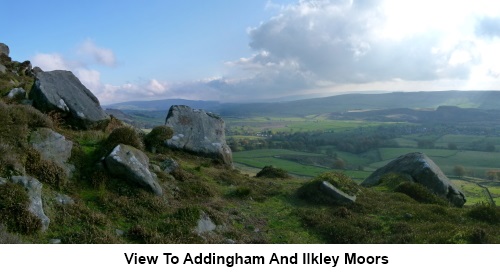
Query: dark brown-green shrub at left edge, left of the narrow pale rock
x=14 y=203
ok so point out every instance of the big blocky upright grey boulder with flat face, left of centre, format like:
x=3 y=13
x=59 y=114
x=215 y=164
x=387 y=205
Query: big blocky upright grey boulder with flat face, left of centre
x=199 y=132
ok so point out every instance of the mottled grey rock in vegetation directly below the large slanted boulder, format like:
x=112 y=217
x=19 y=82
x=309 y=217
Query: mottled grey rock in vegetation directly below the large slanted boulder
x=54 y=147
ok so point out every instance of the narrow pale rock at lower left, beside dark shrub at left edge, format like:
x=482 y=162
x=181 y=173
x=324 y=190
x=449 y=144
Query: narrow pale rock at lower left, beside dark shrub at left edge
x=34 y=189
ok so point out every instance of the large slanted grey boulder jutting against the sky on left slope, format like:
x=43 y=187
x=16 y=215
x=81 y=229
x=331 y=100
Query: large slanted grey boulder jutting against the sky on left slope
x=61 y=91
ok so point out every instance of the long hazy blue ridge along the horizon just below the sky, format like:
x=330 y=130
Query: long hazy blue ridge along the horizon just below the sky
x=338 y=103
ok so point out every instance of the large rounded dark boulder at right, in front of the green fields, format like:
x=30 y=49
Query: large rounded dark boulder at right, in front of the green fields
x=422 y=170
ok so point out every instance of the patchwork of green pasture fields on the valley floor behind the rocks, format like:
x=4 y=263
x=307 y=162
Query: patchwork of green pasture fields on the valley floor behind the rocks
x=359 y=166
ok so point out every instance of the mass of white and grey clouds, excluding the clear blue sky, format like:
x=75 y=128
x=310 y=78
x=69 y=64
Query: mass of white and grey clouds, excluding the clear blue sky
x=322 y=47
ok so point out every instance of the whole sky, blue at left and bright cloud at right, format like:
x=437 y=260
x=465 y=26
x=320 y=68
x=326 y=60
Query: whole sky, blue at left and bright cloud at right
x=258 y=50
